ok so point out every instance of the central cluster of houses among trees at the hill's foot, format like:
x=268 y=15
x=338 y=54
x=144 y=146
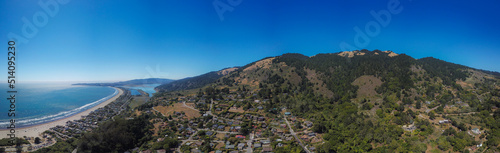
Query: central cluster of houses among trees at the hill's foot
x=230 y=123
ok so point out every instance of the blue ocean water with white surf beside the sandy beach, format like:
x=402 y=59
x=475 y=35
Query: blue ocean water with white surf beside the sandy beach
x=38 y=103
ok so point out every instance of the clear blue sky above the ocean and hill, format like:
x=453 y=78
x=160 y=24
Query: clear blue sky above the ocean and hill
x=100 y=40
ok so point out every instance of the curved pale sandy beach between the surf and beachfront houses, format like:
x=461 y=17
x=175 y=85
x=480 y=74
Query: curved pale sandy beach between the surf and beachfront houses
x=35 y=131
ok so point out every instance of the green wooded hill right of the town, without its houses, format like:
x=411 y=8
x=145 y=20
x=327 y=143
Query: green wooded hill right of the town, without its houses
x=321 y=88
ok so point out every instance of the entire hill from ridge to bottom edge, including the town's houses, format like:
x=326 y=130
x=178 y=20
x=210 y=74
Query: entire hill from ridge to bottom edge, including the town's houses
x=353 y=101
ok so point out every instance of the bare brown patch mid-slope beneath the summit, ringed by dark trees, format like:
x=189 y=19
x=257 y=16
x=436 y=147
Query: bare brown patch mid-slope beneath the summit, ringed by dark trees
x=367 y=85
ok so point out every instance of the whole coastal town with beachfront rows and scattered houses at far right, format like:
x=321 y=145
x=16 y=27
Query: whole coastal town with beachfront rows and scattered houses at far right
x=223 y=122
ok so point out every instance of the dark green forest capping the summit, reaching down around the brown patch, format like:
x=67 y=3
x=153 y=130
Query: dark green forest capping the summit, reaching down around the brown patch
x=339 y=72
